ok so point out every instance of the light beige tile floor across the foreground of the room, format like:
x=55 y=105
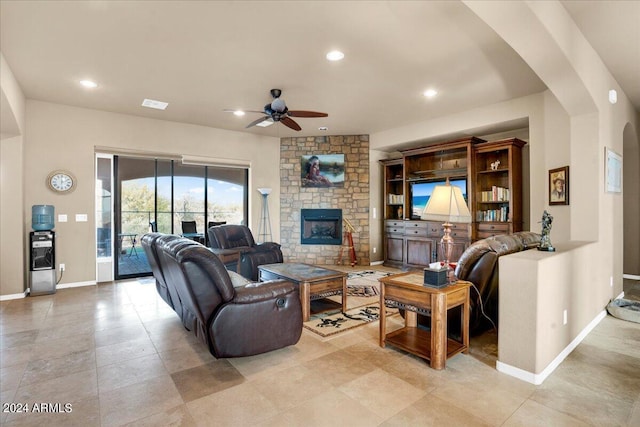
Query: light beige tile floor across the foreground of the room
x=120 y=356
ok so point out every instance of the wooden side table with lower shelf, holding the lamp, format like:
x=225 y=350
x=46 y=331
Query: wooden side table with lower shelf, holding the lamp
x=407 y=291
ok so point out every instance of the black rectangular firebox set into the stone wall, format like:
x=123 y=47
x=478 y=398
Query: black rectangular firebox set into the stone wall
x=321 y=226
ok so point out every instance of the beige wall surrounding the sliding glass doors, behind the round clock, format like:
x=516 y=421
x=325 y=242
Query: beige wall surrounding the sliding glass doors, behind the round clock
x=63 y=137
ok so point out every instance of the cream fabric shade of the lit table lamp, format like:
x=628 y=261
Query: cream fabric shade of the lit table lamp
x=446 y=204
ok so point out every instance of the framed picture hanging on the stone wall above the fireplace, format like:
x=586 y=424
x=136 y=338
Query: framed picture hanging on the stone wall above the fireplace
x=322 y=170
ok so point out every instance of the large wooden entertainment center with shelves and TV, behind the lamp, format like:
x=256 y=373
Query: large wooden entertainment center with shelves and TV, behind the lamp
x=493 y=175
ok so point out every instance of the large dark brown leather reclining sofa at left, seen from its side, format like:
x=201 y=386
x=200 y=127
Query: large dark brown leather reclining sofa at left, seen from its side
x=244 y=320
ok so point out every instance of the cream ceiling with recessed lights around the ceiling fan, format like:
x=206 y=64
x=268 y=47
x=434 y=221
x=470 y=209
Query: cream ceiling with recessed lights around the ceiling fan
x=203 y=57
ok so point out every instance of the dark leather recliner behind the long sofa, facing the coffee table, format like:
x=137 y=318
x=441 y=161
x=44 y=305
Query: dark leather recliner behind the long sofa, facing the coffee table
x=236 y=248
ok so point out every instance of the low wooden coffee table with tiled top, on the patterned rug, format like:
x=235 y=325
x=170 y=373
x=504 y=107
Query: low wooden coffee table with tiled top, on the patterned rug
x=315 y=282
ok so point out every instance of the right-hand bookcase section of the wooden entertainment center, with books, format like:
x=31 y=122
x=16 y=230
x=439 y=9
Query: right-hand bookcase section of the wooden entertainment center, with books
x=497 y=207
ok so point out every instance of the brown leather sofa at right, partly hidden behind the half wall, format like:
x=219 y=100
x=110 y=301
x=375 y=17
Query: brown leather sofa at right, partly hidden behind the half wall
x=479 y=265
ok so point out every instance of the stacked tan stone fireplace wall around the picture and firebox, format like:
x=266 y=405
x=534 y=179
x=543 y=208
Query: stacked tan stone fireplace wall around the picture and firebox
x=352 y=199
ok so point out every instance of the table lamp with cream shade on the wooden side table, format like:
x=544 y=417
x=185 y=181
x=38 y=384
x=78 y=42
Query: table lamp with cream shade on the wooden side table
x=447 y=204
